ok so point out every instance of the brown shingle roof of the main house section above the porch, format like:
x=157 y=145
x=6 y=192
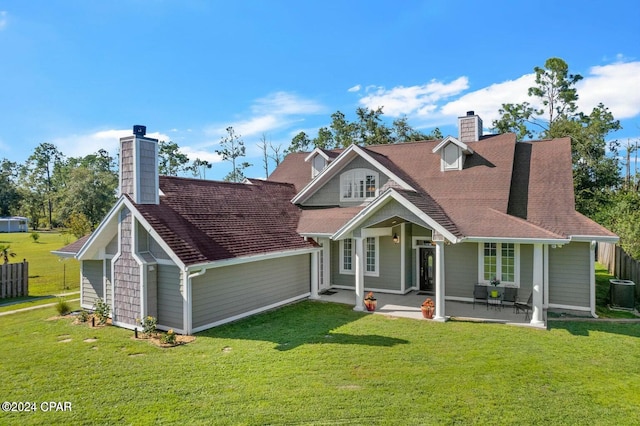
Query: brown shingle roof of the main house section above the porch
x=506 y=189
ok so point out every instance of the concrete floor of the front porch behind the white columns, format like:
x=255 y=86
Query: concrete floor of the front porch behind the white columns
x=408 y=306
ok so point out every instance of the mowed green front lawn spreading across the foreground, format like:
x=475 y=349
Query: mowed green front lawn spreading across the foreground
x=322 y=363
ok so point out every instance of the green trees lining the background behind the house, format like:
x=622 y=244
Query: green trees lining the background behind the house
x=52 y=190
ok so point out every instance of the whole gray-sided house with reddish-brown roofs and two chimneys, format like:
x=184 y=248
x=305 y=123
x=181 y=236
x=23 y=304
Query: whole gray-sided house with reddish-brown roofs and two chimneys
x=434 y=216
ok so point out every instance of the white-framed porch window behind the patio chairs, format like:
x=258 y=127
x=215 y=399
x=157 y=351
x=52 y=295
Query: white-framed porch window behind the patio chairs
x=500 y=260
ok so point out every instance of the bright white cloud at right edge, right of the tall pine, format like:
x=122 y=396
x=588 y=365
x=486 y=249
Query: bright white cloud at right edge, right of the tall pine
x=616 y=85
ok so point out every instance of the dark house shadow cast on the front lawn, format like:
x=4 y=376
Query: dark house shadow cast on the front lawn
x=302 y=323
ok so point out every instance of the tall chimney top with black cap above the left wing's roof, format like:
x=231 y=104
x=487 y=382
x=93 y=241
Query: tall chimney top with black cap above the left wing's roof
x=139 y=167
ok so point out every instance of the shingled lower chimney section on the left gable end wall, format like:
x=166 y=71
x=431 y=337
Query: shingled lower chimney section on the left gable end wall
x=126 y=307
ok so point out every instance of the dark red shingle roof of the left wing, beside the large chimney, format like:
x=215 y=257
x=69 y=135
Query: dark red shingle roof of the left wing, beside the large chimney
x=204 y=221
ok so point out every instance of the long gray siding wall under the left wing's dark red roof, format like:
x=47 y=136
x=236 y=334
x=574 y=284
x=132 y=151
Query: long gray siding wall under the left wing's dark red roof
x=234 y=291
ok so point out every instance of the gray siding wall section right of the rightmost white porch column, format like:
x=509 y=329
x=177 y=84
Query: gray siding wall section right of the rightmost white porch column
x=569 y=275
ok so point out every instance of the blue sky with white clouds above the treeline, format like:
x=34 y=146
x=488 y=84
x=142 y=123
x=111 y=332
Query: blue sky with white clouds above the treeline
x=80 y=74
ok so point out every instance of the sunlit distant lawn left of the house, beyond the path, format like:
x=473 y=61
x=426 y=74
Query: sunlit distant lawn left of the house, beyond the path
x=48 y=274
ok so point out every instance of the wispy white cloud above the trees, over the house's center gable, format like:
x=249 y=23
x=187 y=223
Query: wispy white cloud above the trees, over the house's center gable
x=412 y=100
